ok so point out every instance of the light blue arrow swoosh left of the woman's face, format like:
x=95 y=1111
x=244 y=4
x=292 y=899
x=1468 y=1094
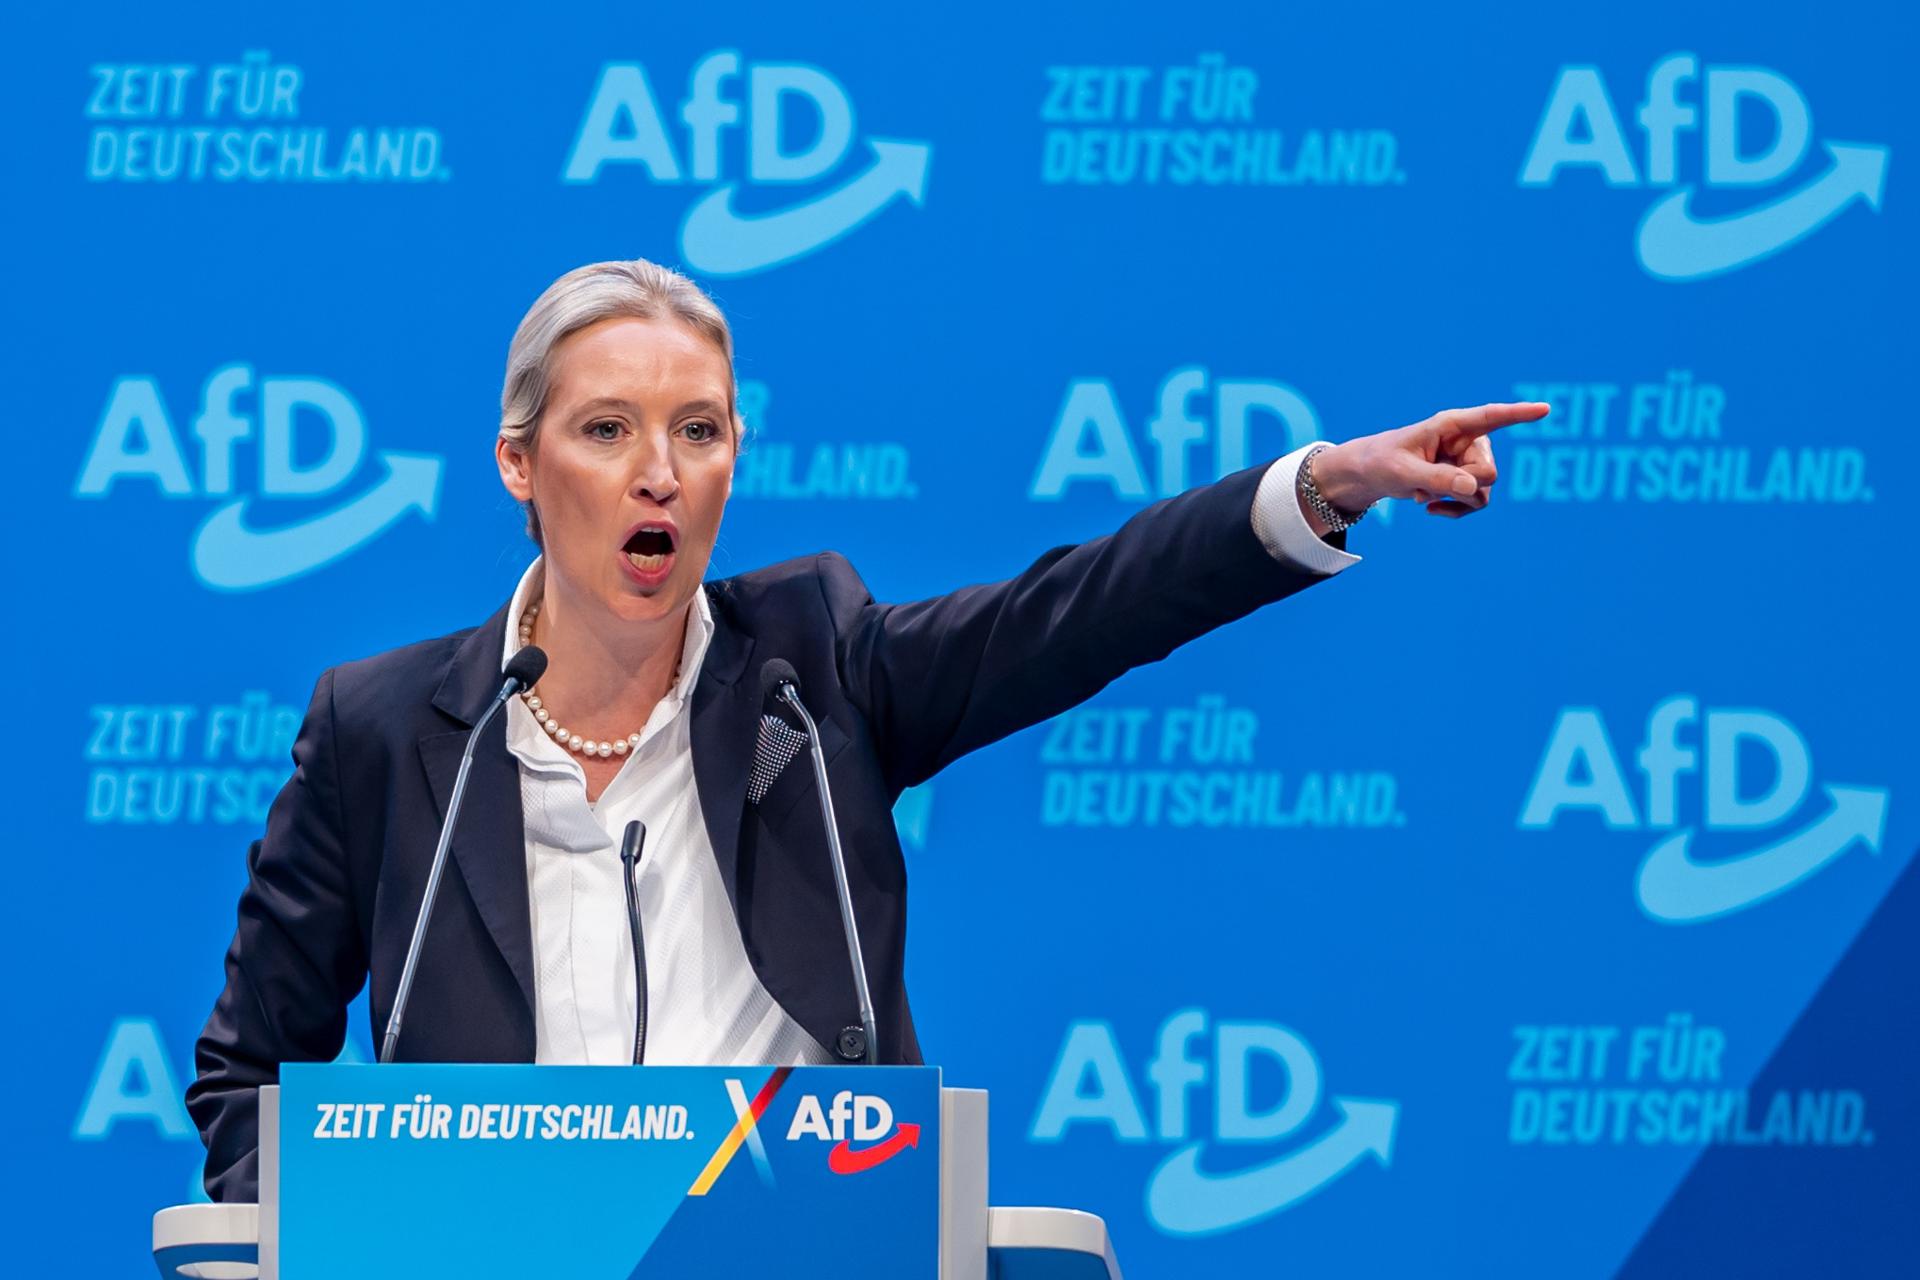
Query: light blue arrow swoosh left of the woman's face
x=231 y=557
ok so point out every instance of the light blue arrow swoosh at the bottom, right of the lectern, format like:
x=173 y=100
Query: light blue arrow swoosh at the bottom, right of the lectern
x=1186 y=1200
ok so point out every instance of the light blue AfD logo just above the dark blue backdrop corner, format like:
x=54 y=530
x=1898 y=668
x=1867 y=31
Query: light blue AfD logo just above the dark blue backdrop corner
x=1771 y=851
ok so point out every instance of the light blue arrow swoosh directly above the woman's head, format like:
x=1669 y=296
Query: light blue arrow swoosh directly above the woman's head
x=721 y=243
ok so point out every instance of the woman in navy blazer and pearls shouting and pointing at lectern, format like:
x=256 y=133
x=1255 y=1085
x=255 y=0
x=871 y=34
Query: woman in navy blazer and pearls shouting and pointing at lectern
x=619 y=433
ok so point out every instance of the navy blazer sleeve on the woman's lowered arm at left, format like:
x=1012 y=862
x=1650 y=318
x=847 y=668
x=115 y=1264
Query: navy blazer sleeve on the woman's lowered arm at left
x=295 y=964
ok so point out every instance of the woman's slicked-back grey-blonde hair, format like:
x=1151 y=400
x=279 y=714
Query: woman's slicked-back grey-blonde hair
x=587 y=296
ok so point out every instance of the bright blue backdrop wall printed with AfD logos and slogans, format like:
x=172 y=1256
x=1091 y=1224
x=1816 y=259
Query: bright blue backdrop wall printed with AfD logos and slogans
x=1531 y=901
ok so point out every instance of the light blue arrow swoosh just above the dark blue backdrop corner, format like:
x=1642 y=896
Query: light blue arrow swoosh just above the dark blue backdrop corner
x=1679 y=891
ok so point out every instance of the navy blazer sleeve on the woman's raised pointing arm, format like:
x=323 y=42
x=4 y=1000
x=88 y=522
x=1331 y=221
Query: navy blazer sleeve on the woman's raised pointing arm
x=951 y=675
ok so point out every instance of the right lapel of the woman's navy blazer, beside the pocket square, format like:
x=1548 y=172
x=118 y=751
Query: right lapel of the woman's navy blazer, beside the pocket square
x=727 y=723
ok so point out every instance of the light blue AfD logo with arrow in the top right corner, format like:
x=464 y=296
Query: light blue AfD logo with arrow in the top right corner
x=1752 y=130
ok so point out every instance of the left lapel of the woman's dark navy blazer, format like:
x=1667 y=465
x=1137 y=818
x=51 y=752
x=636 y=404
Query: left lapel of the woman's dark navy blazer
x=491 y=840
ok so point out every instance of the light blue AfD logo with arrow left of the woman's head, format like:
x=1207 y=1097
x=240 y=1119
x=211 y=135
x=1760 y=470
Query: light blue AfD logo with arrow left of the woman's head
x=308 y=437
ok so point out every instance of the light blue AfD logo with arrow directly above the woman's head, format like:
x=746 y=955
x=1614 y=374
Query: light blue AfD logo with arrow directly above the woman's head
x=773 y=105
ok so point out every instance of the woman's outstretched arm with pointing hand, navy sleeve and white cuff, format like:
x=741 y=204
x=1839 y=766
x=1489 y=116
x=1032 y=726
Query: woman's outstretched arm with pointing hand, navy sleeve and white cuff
x=951 y=675
